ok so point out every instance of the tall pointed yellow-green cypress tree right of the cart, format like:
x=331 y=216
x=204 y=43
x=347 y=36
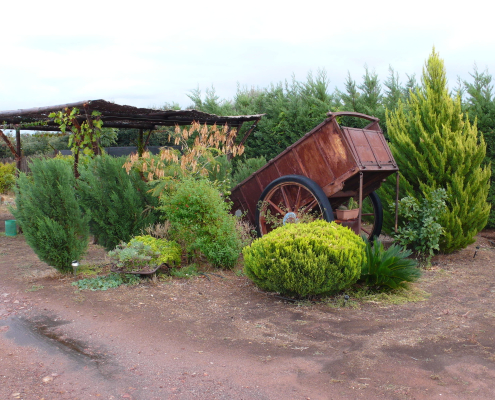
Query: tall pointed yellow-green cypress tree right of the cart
x=436 y=146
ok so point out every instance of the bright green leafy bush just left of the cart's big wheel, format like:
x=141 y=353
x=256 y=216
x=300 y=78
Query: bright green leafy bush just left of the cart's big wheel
x=199 y=221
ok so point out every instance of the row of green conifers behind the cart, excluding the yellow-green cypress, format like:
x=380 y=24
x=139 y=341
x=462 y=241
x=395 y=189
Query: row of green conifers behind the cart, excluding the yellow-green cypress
x=293 y=107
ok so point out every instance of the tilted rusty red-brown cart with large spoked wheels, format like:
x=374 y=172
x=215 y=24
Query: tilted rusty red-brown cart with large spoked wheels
x=317 y=174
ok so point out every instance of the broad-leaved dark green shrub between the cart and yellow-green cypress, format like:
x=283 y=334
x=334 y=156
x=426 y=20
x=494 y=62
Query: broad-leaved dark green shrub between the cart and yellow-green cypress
x=420 y=230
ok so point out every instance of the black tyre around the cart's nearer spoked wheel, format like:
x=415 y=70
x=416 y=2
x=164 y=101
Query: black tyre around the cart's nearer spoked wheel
x=298 y=180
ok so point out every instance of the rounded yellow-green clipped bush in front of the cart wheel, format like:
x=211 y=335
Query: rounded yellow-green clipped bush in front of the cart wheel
x=305 y=259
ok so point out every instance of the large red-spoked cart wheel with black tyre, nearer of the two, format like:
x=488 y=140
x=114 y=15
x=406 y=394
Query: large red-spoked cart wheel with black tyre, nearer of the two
x=291 y=198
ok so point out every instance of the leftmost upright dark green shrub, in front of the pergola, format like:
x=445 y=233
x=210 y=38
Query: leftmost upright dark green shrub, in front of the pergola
x=49 y=213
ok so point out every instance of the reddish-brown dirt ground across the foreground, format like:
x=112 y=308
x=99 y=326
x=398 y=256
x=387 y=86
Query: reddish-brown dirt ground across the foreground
x=216 y=336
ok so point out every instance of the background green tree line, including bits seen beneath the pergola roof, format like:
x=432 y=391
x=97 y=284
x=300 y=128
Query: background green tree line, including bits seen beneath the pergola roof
x=294 y=107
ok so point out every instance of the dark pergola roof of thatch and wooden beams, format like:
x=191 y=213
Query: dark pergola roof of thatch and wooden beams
x=113 y=116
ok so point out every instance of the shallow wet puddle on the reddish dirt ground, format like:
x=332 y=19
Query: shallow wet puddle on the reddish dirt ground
x=42 y=332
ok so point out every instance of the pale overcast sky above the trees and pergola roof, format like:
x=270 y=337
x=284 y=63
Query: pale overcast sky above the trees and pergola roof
x=147 y=53
